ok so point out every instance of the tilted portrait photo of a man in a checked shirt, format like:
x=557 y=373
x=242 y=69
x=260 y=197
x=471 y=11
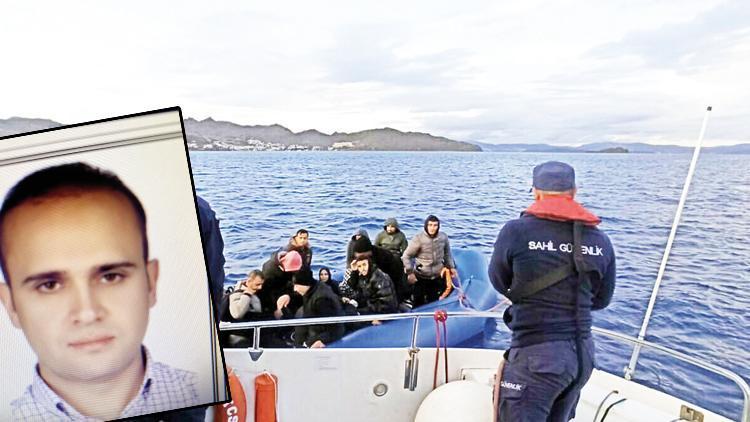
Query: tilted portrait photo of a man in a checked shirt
x=105 y=292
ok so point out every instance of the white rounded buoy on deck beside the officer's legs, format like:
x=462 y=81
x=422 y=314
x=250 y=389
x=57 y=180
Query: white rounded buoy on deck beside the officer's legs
x=465 y=401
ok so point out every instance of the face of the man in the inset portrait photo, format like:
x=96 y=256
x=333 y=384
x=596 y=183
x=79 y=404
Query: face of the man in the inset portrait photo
x=81 y=290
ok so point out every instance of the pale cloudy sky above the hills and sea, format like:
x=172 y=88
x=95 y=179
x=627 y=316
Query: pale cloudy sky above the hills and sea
x=561 y=73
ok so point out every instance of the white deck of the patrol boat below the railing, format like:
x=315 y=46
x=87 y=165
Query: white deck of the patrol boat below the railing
x=337 y=385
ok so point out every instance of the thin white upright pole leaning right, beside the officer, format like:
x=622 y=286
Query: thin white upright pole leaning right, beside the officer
x=630 y=369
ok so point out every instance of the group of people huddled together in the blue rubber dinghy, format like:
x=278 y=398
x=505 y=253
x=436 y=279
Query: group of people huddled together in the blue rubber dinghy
x=387 y=276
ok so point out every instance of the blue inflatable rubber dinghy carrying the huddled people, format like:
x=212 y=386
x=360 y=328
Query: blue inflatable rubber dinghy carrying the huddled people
x=462 y=332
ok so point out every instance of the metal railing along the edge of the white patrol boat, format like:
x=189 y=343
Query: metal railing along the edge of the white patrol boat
x=257 y=326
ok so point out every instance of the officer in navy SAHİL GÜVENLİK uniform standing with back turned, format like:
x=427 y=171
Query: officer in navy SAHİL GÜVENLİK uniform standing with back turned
x=556 y=267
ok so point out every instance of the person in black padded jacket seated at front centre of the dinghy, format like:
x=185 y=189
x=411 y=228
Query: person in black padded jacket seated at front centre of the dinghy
x=368 y=288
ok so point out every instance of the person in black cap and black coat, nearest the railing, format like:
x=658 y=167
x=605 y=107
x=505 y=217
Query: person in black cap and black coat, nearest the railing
x=318 y=300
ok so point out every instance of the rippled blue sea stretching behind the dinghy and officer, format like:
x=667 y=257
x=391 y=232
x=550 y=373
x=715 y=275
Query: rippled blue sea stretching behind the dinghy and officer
x=264 y=197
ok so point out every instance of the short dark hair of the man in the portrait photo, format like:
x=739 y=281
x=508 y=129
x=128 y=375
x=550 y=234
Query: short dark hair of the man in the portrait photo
x=63 y=180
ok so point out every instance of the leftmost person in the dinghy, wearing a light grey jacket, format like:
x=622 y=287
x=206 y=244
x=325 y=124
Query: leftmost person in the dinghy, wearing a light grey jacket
x=243 y=304
